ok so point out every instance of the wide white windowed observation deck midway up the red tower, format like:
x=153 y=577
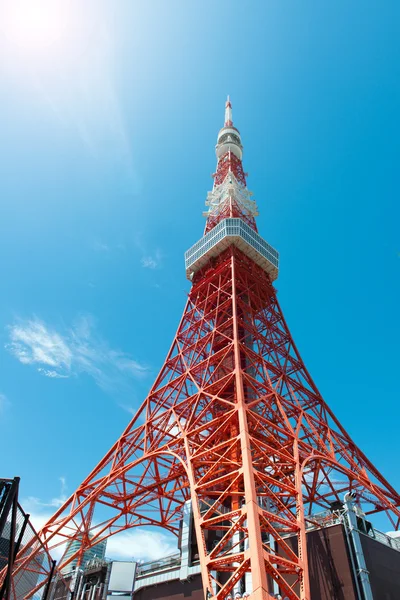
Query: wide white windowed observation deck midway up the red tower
x=232 y=231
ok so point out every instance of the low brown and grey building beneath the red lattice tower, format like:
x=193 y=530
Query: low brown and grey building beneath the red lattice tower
x=340 y=545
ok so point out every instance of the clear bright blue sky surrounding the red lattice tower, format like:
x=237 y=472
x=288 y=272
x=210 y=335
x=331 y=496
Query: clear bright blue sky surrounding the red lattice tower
x=108 y=121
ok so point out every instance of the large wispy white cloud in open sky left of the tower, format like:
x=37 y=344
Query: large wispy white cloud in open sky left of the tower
x=80 y=349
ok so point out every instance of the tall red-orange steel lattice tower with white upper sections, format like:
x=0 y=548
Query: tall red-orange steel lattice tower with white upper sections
x=233 y=427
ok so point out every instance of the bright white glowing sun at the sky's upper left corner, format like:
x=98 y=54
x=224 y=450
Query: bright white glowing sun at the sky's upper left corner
x=34 y=24
